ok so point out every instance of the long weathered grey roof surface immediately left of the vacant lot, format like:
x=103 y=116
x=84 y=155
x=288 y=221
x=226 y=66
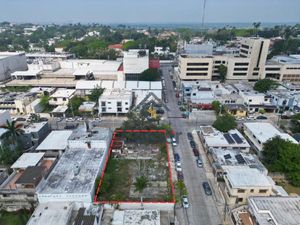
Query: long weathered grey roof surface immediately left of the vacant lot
x=75 y=173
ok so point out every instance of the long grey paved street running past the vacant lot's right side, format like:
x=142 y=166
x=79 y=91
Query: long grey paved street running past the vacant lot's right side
x=203 y=209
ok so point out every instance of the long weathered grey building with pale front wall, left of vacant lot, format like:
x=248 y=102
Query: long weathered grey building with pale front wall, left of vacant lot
x=73 y=178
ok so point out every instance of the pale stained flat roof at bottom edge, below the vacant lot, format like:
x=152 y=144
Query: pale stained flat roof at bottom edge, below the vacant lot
x=136 y=217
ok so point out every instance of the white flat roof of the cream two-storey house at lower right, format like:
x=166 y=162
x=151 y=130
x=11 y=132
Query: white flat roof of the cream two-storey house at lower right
x=241 y=177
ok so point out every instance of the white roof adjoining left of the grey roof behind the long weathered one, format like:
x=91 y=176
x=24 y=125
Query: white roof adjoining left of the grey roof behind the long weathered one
x=56 y=140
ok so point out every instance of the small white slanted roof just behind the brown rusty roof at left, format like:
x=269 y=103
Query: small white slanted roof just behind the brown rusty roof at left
x=27 y=159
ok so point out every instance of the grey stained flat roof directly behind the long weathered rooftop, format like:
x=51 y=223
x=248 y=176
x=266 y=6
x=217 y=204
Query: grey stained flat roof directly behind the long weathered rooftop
x=95 y=133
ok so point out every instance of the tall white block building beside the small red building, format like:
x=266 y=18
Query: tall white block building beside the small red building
x=135 y=62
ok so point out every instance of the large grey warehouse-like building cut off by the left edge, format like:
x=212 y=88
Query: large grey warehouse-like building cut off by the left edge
x=11 y=62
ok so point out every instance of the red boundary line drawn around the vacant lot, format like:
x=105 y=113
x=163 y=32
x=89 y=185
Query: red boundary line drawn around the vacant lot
x=107 y=158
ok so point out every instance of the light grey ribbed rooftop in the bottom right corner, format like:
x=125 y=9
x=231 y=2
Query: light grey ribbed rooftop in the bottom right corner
x=276 y=210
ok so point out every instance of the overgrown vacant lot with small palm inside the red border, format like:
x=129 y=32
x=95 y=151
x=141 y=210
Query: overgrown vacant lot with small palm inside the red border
x=137 y=157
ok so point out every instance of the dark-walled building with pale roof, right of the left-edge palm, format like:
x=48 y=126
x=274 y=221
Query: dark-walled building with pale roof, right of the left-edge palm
x=34 y=134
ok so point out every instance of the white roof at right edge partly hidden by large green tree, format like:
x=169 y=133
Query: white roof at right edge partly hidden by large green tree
x=265 y=131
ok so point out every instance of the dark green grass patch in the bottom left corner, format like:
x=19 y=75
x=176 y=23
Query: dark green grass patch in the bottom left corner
x=14 y=218
